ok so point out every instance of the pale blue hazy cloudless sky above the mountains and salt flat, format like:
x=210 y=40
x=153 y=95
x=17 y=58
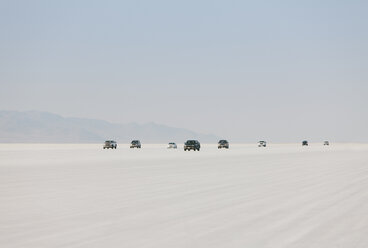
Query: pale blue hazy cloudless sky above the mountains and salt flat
x=243 y=70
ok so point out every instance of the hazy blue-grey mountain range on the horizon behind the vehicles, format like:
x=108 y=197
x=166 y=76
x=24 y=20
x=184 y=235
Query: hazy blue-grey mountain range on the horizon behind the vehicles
x=43 y=127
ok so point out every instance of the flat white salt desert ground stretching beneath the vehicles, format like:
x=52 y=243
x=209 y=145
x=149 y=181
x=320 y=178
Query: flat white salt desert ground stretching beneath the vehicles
x=284 y=195
